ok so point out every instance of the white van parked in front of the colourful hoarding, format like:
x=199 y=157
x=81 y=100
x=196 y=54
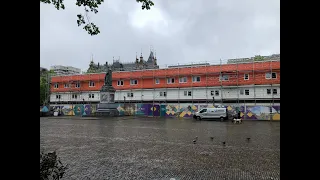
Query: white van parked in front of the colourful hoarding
x=206 y=113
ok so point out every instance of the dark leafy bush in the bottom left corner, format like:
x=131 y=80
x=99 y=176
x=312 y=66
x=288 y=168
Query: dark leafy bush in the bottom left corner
x=51 y=166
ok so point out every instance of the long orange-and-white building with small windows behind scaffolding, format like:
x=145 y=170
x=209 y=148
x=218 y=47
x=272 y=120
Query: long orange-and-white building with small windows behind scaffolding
x=229 y=83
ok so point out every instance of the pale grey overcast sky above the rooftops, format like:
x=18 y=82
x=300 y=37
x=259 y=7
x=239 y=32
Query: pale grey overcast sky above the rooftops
x=181 y=31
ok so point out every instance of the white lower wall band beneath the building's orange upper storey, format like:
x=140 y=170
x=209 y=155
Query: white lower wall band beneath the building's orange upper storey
x=258 y=92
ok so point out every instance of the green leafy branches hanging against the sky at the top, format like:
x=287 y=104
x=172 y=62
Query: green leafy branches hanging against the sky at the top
x=91 y=6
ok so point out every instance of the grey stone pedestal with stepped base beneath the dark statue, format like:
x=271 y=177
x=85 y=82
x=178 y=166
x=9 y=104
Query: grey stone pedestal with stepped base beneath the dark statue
x=107 y=107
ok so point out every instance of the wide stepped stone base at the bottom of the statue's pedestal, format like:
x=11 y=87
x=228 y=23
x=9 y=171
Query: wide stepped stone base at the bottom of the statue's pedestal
x=107 y=110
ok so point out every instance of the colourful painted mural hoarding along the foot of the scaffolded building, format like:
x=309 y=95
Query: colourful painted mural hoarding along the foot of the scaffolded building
x=172 y=110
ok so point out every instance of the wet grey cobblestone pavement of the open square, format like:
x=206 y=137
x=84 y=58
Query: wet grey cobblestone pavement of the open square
x=147 y=148
